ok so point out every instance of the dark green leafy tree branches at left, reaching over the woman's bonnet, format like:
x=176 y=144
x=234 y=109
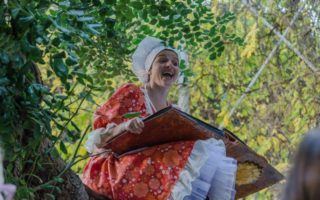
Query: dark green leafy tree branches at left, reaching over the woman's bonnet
x=58 y=57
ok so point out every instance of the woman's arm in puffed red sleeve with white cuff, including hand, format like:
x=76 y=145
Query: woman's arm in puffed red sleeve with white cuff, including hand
x=109 y=121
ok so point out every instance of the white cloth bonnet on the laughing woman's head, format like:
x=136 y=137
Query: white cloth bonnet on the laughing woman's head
x=144 y=55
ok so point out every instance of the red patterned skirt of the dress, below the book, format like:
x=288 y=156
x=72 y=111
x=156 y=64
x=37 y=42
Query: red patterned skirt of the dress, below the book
x=148 y=174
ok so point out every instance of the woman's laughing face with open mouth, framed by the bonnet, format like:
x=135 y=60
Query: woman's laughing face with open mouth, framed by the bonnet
x=165 y=69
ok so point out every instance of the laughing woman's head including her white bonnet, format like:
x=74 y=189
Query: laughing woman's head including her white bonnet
x=155 y=63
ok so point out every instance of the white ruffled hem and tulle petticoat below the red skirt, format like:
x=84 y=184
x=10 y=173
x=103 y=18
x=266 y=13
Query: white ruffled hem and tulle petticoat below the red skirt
x=208 y=173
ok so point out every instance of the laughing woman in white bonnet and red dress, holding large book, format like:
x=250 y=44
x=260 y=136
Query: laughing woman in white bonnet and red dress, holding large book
x=178 y=170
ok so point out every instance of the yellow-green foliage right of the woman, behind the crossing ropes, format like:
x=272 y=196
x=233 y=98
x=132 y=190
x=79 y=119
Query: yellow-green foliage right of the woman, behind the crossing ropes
x=283 y=104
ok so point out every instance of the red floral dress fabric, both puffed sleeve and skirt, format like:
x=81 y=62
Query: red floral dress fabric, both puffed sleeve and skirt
x=148 y=174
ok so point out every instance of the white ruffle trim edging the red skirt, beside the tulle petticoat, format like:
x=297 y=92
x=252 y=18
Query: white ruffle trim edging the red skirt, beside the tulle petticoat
x=199 y=155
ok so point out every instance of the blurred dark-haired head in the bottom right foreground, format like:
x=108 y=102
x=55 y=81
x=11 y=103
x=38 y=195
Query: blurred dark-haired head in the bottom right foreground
x=304 y=178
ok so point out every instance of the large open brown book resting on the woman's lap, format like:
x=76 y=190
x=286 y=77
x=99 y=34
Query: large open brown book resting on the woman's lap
x=170 y=125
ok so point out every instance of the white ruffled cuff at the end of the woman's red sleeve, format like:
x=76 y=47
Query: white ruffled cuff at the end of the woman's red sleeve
x=94 y=137
